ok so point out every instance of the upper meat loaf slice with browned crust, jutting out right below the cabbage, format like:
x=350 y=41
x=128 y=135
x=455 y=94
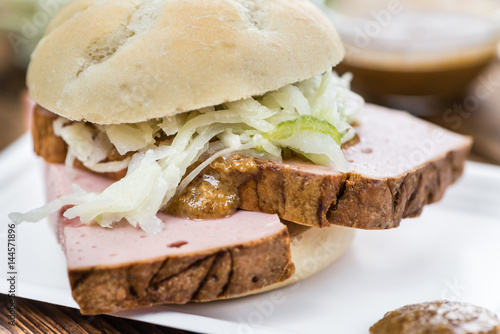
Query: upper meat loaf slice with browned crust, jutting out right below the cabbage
x=396 y=165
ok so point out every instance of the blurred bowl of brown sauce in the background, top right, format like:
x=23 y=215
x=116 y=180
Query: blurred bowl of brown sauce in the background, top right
x=401 y=53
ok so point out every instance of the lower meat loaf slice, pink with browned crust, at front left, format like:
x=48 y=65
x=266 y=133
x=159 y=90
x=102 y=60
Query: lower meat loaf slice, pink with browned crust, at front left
x=122 y=268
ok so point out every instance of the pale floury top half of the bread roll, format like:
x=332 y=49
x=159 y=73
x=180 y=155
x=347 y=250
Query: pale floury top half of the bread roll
x=124 y=61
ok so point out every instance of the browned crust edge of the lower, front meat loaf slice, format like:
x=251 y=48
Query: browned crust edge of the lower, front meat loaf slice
x=218 y=274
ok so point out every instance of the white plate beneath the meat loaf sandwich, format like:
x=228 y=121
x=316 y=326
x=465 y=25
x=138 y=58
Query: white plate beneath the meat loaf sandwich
x=452 y=251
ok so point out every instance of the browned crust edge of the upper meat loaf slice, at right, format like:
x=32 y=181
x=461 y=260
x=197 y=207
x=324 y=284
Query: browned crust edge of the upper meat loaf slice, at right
x=350 y=199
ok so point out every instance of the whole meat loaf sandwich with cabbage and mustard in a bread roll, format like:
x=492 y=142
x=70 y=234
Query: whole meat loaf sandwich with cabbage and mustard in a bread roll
x=202 y=150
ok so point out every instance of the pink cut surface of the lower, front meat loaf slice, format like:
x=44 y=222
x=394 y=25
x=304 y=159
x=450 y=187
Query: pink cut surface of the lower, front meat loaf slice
x=90 y=246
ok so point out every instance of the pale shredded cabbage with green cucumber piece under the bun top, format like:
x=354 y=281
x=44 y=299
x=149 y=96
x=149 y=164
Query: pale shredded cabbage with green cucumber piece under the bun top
x=312 y=117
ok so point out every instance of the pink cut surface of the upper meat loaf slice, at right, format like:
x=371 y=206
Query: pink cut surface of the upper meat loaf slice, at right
x=392 y=143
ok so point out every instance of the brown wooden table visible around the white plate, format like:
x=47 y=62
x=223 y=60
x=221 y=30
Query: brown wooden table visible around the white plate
x=37 y=317
